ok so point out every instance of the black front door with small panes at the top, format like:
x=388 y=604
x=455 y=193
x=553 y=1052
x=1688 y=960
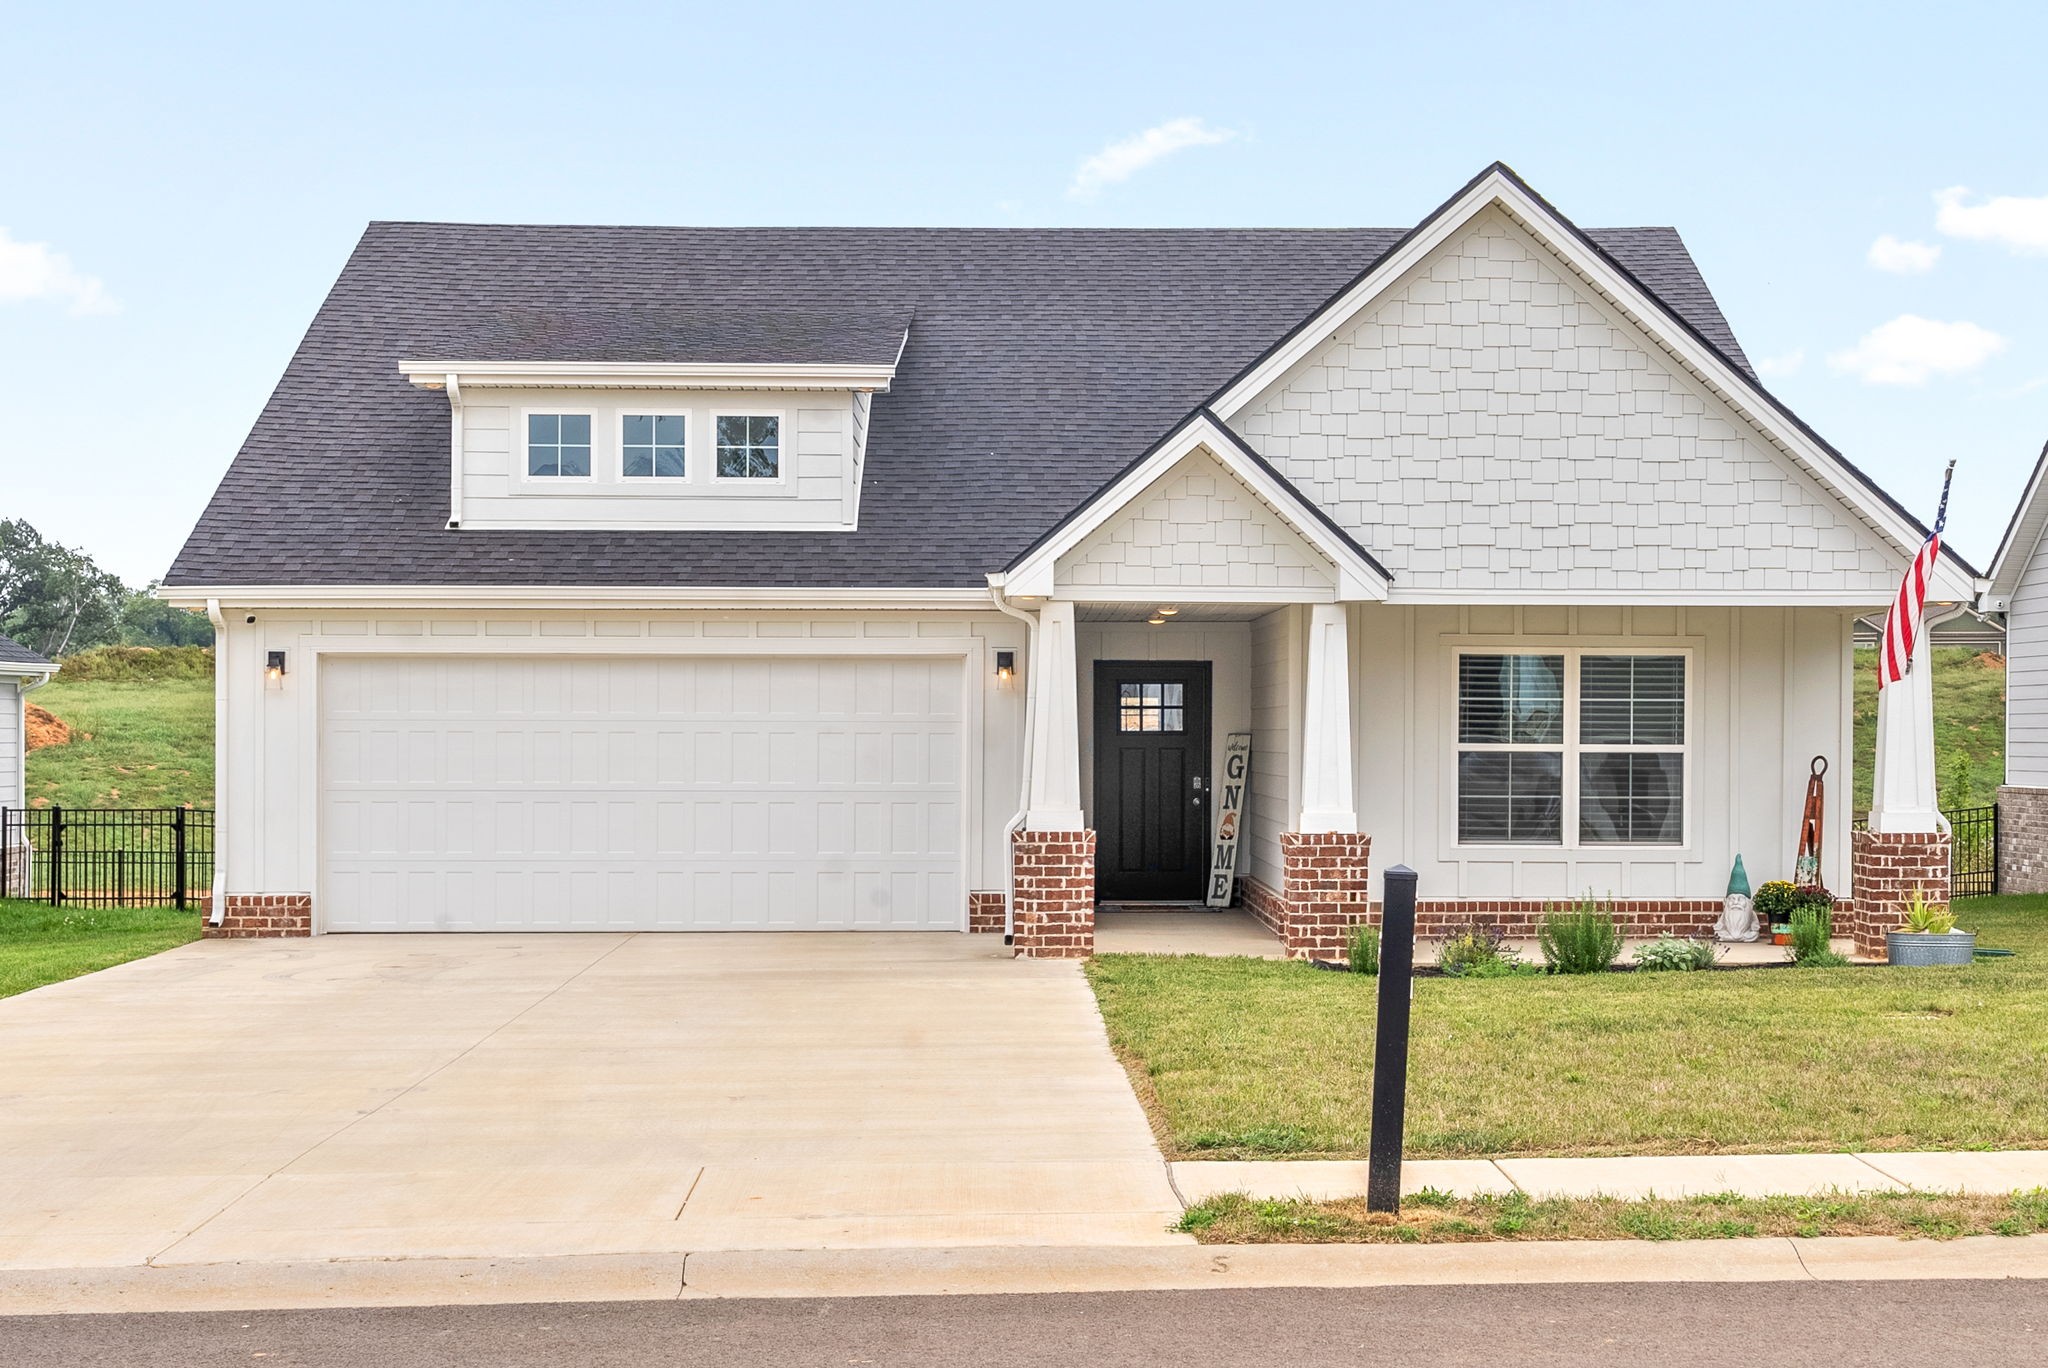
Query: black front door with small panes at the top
x=1152 y=779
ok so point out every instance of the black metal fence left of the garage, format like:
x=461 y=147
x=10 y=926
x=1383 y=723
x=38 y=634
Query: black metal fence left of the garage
x=110 y=857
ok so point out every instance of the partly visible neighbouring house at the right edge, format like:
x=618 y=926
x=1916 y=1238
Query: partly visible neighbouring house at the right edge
x=2018 y=589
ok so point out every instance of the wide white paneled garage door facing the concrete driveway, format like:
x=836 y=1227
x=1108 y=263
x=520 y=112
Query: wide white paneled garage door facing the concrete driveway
x=706 y=794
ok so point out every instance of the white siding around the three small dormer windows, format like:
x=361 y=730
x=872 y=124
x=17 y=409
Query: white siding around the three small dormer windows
x=818 y=488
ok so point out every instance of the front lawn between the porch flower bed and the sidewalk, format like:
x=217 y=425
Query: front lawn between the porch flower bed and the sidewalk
x=1246 y=1058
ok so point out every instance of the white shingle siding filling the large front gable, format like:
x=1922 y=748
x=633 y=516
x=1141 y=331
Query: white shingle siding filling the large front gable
x=1492 y=427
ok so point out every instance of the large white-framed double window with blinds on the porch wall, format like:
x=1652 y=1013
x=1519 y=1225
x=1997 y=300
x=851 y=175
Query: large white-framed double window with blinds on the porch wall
x=1572 y=749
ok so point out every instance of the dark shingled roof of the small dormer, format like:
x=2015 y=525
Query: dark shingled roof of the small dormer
x=734 y=335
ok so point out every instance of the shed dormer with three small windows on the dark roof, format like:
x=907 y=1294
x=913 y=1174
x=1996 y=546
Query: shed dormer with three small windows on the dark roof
x=660 y=419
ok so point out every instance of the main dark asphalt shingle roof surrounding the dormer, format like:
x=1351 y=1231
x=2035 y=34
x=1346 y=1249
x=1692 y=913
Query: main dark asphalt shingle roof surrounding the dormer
x=1039 y=364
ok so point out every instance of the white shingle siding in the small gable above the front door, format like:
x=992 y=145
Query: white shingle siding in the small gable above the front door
x=1197 y=527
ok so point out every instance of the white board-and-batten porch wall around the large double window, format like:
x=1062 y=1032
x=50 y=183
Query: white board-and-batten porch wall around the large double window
x=1768 y=693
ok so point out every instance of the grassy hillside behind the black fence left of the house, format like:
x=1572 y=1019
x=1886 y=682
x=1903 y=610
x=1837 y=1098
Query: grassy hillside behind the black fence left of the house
x=134 y=744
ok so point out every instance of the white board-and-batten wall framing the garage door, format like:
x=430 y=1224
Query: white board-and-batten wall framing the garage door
x=271 y=812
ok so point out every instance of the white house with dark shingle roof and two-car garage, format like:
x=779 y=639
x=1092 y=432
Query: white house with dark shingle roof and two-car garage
x=593 y=579
